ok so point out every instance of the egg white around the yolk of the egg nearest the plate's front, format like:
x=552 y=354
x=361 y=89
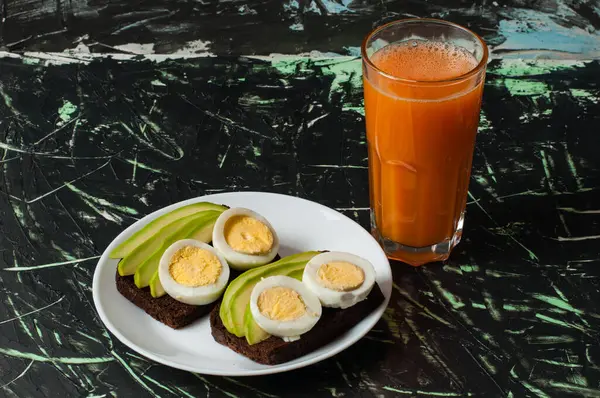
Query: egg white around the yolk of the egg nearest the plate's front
x=288 y=330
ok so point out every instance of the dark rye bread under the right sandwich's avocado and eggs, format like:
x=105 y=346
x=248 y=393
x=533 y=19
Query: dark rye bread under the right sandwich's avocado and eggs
x=274 y=350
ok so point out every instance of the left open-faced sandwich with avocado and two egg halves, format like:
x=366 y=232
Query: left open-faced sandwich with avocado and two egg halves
x=171 y=271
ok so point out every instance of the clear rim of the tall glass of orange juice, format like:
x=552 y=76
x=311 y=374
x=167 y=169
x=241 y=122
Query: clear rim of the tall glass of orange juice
x=481 y=65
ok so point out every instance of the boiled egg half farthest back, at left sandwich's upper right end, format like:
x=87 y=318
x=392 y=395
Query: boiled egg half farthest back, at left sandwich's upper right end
x=245 y=238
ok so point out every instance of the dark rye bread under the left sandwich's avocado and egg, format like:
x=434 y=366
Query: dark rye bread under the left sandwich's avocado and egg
x=164 y=309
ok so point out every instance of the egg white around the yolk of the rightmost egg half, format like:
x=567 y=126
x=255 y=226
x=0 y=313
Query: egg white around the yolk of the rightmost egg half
x=332 y=298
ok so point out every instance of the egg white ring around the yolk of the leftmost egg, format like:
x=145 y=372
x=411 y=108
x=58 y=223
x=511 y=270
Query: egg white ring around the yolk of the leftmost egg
x=200 y=295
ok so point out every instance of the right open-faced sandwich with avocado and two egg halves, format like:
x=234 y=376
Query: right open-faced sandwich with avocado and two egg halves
x=281 y=311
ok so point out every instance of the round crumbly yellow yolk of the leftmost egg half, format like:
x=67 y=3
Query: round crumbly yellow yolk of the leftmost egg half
x=192 y=266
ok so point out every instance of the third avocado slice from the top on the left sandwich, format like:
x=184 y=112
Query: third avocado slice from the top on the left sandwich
x=204 y=221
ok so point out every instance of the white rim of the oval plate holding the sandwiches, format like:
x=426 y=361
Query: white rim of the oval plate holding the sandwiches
x=280 y=368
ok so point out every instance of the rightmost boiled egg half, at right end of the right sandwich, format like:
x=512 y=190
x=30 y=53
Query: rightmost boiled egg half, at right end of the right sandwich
x=339 y=279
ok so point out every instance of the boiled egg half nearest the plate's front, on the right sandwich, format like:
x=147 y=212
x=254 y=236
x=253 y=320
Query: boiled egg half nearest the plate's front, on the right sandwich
x=284 y=307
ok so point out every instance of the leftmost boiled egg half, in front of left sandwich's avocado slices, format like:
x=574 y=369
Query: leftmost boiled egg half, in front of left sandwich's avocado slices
x=193 y=272
